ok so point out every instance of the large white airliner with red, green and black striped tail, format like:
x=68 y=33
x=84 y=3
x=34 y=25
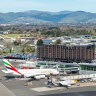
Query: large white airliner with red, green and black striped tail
x=36 y=73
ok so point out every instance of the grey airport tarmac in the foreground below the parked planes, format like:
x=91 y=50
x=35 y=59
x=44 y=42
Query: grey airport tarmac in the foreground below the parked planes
x=11 y=86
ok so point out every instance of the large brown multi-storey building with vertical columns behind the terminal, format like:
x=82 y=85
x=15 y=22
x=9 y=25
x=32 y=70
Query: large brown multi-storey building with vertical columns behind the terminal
x=67 y=53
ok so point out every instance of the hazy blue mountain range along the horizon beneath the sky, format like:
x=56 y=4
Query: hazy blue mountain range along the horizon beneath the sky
x=43 y=17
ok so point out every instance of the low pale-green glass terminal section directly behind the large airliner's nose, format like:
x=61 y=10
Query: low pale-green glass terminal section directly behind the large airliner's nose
x=61 y=66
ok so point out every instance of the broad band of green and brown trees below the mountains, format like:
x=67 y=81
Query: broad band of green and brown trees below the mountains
x=53 y=31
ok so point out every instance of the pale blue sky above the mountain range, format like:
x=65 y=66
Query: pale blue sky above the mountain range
x=47 y=5
